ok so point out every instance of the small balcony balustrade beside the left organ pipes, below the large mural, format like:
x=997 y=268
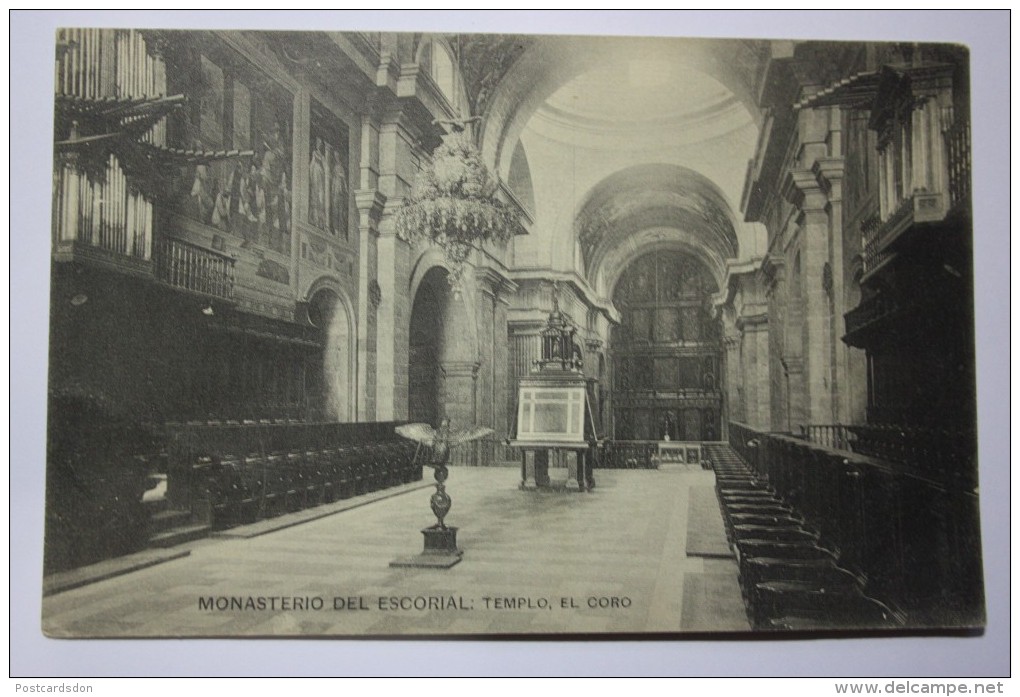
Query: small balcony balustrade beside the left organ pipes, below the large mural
x=195 y=269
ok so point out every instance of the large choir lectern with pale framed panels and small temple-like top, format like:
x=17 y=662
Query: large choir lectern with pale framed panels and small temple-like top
x=554 y=411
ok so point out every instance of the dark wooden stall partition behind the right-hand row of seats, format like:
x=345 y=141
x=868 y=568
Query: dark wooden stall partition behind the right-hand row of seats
x=913 y=538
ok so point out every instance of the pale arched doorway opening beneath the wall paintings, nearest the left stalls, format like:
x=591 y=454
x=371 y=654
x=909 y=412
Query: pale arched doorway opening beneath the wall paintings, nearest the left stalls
x=333 y=385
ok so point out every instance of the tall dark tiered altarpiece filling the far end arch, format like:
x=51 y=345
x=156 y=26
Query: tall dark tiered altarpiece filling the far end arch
x=667 y=352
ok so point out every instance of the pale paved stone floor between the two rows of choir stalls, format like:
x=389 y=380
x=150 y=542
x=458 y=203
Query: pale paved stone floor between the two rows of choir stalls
x=613 y=561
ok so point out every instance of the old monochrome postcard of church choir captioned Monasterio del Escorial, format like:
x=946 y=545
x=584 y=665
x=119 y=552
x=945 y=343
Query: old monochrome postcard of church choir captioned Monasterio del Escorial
x=683 y=292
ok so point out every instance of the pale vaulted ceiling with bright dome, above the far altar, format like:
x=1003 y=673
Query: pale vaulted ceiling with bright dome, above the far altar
x=630 y=141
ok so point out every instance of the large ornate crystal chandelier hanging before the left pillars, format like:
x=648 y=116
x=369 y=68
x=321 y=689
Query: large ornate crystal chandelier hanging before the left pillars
x=454 y=205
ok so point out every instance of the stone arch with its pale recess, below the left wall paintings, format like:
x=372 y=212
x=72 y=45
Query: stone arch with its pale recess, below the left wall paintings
x=330 y=310
